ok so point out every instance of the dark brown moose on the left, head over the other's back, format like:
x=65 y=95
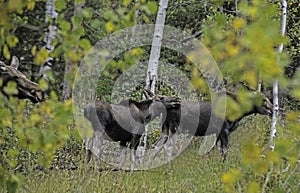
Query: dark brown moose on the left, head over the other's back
x=124 y=122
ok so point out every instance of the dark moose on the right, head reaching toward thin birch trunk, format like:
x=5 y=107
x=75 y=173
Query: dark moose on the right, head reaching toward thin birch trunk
x=199 y=119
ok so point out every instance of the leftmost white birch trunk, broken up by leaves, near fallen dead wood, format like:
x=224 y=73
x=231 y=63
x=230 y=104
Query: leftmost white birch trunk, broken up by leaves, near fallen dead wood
x=50 y=13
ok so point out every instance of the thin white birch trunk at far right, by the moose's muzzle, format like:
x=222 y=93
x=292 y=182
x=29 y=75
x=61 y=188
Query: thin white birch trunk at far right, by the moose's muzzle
x=275 y=84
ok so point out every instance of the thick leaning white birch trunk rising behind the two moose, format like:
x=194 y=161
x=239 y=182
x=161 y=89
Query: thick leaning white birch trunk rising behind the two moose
x=154 y=58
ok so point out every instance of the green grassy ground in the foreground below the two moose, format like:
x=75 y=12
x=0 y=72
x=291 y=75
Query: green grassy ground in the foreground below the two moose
x=190 y=172
